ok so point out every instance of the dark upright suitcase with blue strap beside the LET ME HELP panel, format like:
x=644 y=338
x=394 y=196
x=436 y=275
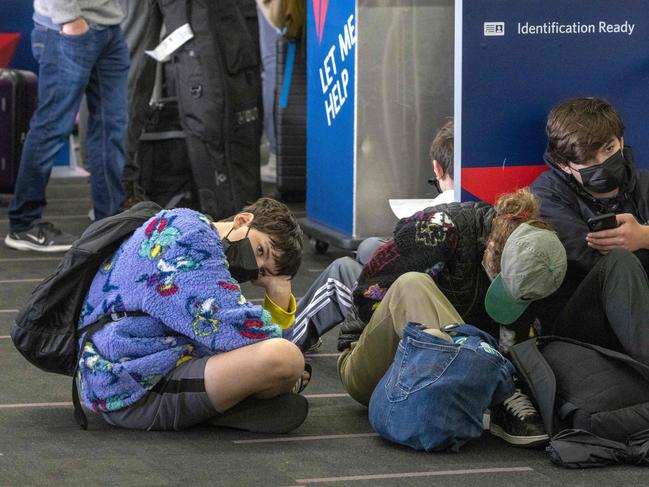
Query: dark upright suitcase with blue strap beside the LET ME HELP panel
x=290 y=119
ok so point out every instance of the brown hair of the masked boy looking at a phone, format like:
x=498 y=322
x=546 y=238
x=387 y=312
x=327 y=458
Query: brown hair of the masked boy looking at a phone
x=579 y=127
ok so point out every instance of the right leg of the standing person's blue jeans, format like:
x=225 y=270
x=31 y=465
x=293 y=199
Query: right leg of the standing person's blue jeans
x=107 y=105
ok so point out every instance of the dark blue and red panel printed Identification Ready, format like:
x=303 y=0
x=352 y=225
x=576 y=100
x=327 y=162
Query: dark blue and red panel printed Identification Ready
x=521 y=58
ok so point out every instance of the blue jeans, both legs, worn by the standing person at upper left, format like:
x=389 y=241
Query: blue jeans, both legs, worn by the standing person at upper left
x=95 y=63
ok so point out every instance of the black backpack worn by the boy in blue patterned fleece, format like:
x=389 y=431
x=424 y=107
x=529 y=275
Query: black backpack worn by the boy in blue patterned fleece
x=45 y=331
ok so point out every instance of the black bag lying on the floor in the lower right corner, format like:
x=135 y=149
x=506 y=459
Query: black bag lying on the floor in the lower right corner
x=590 y=398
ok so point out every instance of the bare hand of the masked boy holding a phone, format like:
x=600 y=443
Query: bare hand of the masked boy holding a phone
x=629 y=235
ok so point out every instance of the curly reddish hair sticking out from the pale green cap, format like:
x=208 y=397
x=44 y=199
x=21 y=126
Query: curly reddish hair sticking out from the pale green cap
x=512 y=209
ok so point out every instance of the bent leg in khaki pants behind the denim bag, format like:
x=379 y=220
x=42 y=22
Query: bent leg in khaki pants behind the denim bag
x=412 y=297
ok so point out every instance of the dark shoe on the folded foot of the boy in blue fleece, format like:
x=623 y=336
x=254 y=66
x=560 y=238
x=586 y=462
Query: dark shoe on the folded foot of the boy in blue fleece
x=277 y=415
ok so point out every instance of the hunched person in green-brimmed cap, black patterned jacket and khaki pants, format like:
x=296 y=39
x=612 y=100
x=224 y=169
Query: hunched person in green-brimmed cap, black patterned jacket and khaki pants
x=455 y=263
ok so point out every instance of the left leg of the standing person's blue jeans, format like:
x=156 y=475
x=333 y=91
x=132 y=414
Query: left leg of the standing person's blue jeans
x=64 y=68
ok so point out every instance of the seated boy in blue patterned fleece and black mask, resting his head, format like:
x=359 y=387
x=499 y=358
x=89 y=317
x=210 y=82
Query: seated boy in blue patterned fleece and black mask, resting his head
x=202 y=348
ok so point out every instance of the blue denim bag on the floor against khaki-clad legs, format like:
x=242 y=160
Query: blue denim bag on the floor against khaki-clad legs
x=435 y=393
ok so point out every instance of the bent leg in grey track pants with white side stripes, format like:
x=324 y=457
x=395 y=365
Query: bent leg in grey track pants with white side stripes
x=325 y=303
